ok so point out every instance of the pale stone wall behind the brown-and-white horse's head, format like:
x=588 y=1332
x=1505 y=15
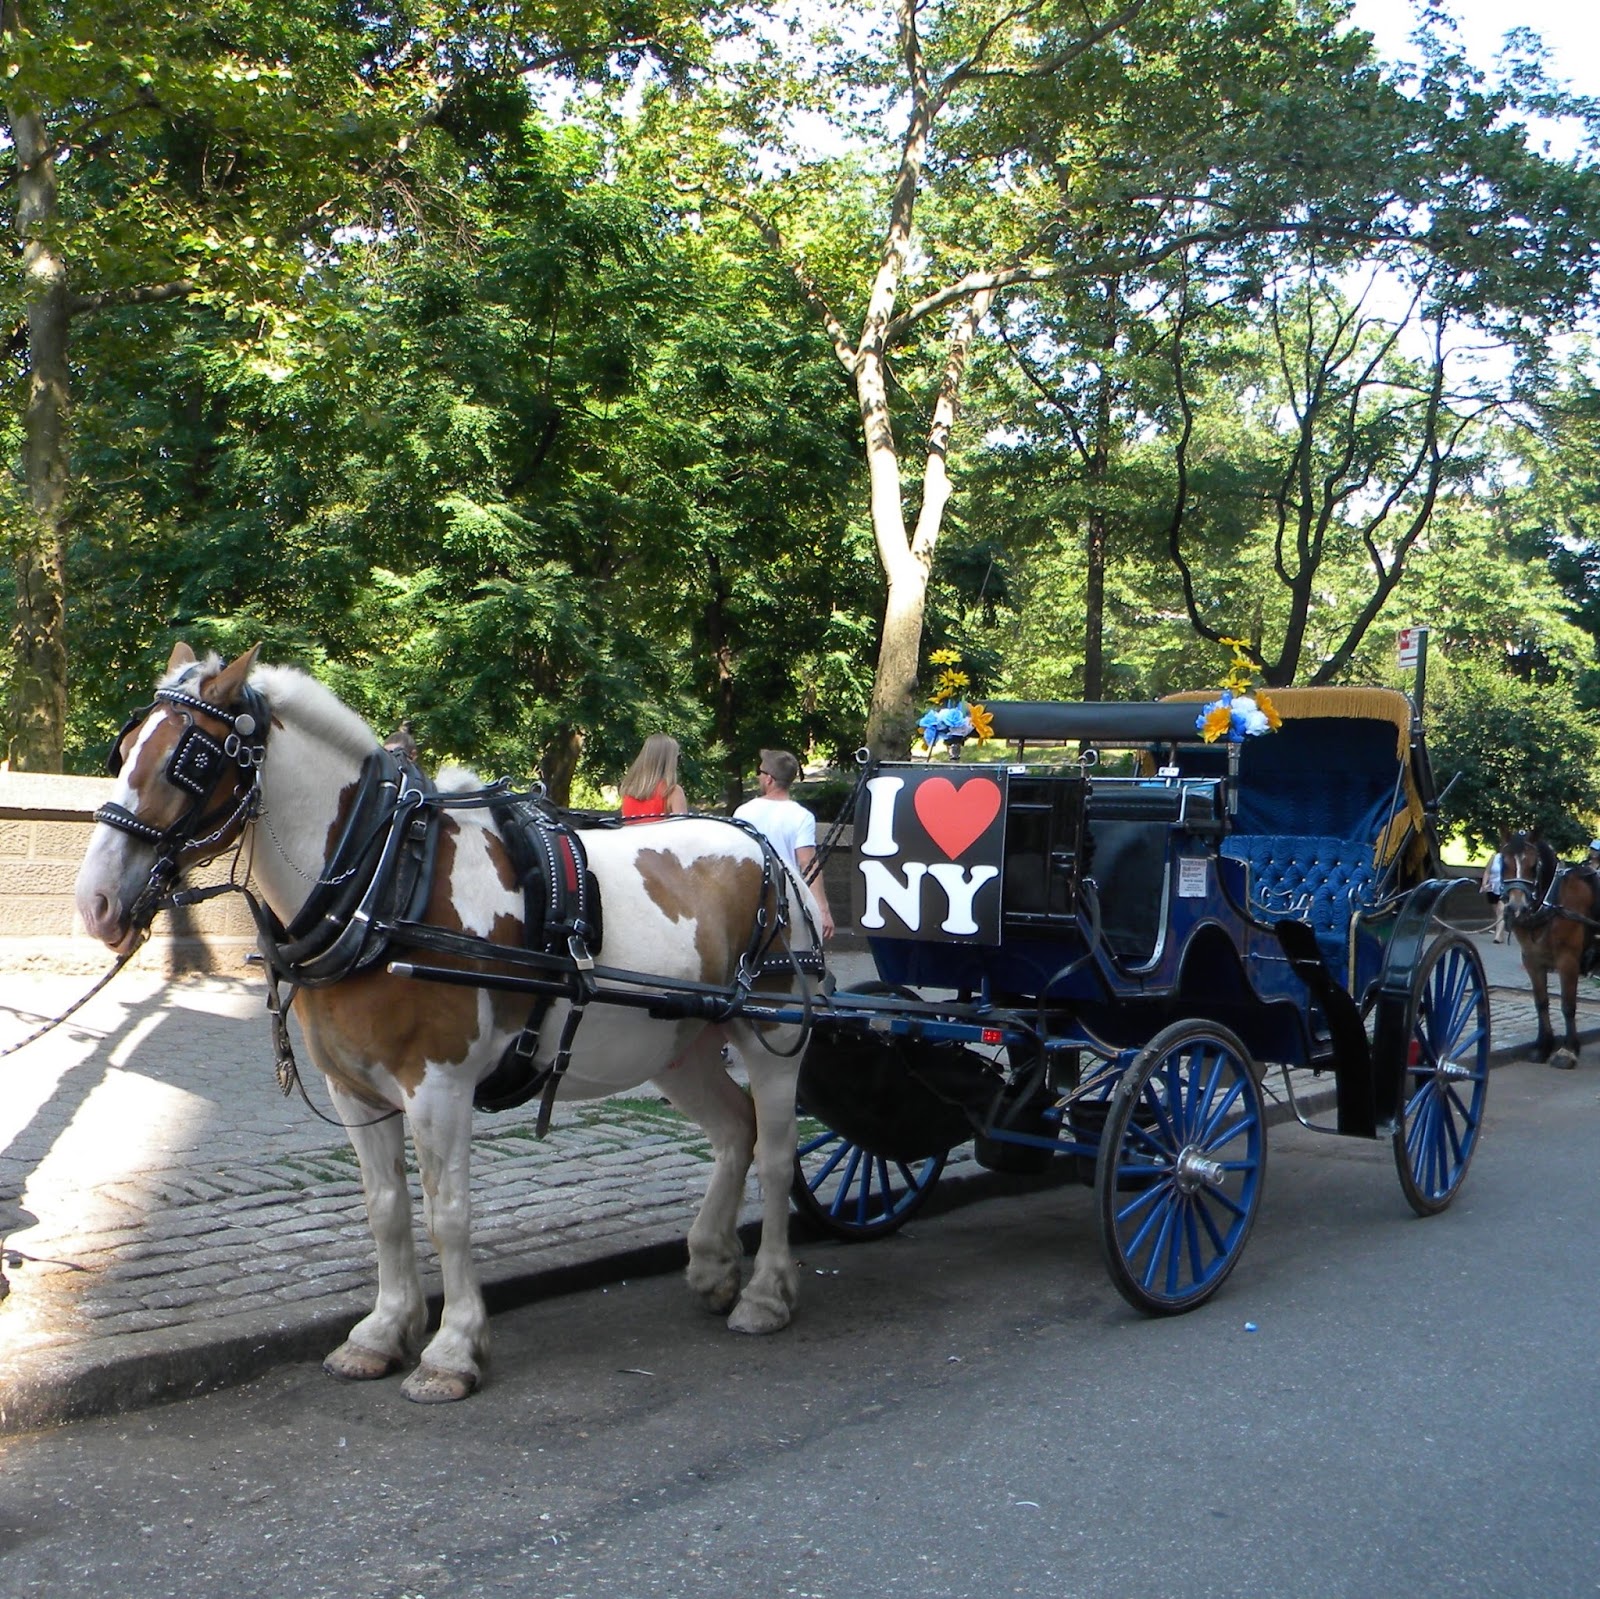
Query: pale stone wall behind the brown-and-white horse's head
x=46 y=827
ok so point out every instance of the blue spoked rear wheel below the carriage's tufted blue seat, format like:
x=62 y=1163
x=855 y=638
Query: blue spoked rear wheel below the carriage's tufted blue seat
x=1447 y=1075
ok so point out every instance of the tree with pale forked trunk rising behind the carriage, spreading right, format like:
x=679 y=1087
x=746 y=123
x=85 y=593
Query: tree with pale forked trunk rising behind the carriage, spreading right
x=1030 y=150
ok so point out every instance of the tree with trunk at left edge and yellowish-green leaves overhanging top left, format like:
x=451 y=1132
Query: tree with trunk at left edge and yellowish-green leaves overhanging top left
x=210 y=158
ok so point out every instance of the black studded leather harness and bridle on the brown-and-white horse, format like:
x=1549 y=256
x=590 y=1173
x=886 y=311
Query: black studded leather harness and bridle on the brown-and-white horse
x=375 y=888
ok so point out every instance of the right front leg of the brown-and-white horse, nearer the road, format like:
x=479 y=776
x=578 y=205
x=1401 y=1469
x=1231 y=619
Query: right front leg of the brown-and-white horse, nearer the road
x=442 y=1134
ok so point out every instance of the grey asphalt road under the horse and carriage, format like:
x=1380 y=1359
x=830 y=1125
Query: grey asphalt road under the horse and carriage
x=1372 y=1406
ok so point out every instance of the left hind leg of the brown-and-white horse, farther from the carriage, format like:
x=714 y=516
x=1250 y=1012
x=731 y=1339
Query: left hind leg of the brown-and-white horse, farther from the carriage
x=698 y=1084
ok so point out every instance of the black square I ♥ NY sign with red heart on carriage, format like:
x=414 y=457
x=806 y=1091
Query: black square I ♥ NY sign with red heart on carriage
x=930 y=851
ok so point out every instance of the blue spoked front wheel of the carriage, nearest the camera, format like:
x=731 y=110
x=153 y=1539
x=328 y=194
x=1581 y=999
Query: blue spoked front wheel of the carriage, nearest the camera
x=1180 y=1171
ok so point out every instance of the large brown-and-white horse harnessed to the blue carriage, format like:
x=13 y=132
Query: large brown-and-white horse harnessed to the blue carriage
x=679 y=900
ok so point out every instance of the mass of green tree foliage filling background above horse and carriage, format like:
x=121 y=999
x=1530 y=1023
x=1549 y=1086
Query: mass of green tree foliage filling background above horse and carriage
x=476 y=414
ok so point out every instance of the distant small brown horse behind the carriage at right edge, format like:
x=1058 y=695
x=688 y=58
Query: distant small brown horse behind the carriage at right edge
x=1553 y=910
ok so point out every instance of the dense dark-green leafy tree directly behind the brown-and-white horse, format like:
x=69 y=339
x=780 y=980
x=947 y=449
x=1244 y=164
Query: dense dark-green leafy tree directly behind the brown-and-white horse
x=540 y=489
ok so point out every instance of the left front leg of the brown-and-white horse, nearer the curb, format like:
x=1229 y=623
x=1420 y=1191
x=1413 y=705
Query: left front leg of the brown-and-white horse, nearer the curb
x=390 y=1337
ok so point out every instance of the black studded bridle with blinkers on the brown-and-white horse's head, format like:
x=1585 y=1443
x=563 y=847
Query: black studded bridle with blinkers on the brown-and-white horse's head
x=198 y=766
